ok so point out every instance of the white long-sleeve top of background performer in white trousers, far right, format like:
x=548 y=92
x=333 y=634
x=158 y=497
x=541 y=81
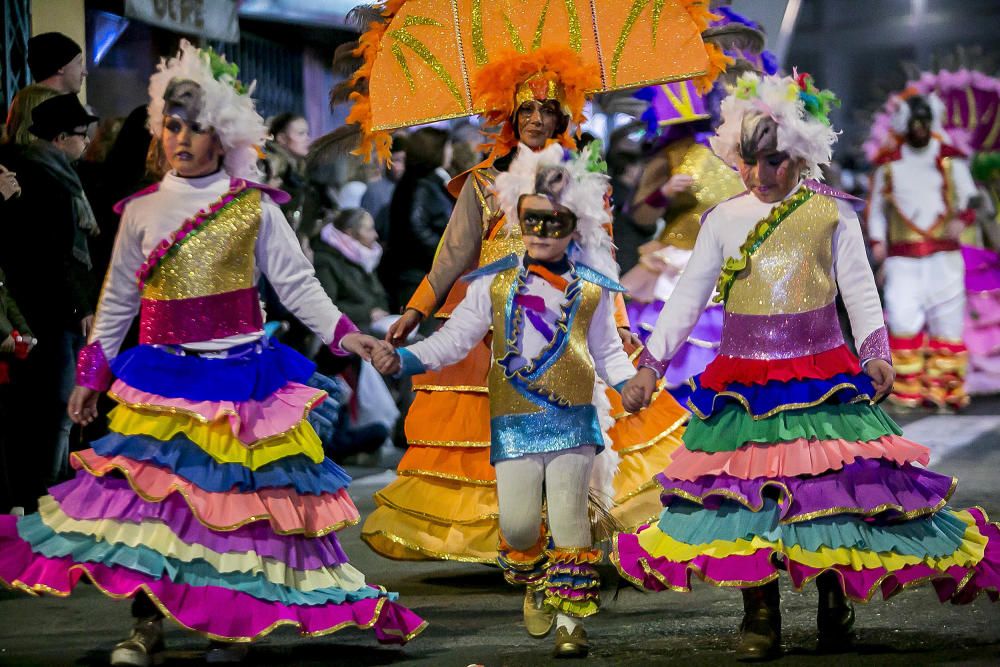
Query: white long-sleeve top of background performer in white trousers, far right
x=916 y=188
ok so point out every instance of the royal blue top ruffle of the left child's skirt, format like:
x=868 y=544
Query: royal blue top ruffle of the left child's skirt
x=251 y=372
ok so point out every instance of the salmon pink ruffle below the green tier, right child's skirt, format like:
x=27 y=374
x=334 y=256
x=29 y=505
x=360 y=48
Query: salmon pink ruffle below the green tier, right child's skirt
x=789 y=459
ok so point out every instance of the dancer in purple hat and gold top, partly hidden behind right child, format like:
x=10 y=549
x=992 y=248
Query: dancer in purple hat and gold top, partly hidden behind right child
x=681 y=181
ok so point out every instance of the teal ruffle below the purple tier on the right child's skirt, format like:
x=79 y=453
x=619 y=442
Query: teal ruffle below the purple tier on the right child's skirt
x=937 y=535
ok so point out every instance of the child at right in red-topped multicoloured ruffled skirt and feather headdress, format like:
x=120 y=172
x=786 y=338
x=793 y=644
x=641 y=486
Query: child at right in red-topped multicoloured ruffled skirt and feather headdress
x=790 y=463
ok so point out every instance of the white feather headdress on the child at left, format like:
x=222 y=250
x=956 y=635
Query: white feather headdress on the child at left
x=226 y=107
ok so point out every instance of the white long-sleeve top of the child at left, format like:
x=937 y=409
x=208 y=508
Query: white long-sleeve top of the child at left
x=149 y=219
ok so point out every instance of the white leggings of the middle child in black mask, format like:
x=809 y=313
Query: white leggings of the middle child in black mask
x=566 y=479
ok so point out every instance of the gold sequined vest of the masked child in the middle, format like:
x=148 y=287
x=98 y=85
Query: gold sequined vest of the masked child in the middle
x=570 y=380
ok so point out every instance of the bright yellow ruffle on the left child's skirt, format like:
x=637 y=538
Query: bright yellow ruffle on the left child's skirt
x=216 y=438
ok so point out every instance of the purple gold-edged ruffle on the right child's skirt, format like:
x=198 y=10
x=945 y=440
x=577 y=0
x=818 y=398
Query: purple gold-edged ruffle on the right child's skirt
x=867 y=487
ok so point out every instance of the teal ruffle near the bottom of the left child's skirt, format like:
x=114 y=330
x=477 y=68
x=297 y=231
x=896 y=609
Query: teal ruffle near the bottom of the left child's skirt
x=86 y=549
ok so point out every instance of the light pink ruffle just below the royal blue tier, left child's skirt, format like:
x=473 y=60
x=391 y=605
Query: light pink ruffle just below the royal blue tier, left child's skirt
x=250 y=421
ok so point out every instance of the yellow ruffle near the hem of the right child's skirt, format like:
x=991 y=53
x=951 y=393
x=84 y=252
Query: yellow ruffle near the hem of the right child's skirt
x=971 y=552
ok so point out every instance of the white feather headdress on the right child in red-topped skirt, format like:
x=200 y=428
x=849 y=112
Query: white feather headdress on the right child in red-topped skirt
x=800 y=110
